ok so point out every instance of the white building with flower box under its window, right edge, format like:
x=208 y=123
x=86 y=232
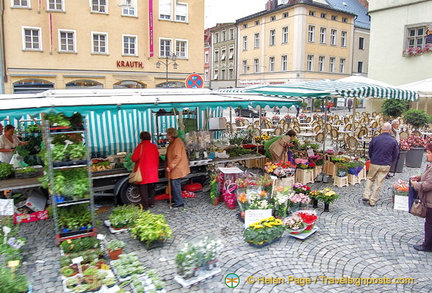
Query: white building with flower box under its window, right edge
x=400 y=43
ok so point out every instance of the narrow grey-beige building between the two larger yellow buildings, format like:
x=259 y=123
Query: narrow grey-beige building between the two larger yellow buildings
x=224 y=61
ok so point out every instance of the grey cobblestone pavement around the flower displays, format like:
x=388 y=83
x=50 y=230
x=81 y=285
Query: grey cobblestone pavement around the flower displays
x=353 y=240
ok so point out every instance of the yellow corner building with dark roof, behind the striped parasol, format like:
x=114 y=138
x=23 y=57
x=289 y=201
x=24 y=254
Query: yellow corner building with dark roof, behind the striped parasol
x=300 y=40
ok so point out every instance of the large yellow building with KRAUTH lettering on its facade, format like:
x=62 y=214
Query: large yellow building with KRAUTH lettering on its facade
x=99 y=43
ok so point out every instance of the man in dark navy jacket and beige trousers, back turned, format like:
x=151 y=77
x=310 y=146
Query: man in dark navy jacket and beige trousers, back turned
x=383 y=150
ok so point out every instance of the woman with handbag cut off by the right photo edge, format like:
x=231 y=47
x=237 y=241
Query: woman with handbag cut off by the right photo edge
x=423 y=184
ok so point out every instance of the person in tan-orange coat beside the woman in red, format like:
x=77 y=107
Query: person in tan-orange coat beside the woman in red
x=177 y=165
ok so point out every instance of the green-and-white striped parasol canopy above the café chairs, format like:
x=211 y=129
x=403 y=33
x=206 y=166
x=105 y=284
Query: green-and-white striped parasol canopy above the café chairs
x=344 y=89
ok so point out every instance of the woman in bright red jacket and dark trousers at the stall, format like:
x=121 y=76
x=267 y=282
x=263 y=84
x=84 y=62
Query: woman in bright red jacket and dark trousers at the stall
x=146 y=156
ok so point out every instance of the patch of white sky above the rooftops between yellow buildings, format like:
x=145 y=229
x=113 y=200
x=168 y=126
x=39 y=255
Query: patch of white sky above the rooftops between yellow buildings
x=220 y=11
